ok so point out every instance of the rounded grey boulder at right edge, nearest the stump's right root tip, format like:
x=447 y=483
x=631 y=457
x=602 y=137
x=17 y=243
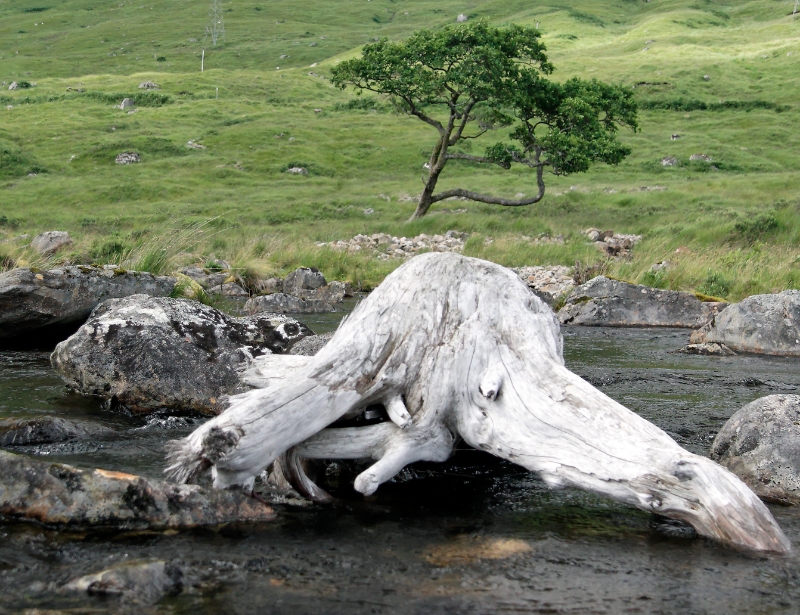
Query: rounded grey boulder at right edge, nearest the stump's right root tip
x=760 y=443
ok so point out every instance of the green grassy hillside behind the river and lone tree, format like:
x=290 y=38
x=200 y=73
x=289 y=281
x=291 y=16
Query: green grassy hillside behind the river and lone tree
x=735 y=221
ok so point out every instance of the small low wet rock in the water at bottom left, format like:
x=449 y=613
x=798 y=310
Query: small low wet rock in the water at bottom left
x=138 y=582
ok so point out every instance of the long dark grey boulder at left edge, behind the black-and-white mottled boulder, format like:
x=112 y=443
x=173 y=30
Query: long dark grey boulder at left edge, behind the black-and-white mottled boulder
x=31 y=300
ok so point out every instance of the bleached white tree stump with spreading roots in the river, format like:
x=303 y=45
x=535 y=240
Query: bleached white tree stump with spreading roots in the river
x=454 y=346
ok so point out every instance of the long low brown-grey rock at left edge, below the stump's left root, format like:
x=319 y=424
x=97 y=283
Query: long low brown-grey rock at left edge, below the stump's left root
x=62 y=495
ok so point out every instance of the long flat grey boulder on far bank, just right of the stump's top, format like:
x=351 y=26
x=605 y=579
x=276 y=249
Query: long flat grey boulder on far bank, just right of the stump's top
x=603 y=302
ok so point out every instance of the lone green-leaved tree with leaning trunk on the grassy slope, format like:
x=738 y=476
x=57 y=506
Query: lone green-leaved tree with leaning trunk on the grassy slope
x=466 y=80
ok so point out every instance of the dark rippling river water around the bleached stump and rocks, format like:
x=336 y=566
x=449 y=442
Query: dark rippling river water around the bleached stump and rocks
x=475 y=535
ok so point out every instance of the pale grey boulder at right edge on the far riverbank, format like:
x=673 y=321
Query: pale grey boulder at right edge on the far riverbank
x=764 y=324
